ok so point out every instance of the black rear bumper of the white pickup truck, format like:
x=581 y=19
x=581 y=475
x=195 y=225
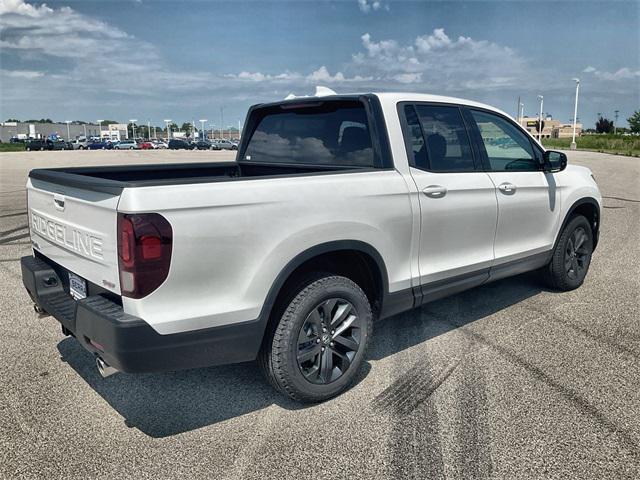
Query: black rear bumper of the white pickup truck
x=129 y=343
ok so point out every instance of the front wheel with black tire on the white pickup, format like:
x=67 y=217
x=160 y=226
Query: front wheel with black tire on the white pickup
x=569 y=265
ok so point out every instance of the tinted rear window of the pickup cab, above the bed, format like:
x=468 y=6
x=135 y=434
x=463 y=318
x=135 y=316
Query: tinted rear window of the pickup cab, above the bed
x=323 y=133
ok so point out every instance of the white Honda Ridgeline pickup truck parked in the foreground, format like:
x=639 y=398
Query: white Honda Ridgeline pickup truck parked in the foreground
x=339 y=210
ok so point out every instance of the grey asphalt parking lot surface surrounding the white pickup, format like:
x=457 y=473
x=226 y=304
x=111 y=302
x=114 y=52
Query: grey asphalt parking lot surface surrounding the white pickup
x=509 y=380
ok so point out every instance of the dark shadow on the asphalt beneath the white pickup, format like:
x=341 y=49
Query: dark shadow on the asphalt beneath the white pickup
x=166 y=404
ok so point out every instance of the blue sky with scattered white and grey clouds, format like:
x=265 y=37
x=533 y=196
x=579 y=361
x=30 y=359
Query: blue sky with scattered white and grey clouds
x=156 y=59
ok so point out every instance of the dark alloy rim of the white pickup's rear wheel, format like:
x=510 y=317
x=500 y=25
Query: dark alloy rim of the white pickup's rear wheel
x=328 y=341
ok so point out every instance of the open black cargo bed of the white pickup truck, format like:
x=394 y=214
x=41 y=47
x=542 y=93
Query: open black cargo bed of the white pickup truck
x=113 y=179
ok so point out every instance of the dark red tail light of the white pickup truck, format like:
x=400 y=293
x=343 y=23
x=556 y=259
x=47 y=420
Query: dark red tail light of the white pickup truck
x=144 y=252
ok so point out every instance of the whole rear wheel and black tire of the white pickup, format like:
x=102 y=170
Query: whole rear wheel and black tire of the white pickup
x=337 y=361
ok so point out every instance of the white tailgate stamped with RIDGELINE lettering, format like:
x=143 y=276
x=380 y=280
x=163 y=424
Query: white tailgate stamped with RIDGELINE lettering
x=77 y=229
